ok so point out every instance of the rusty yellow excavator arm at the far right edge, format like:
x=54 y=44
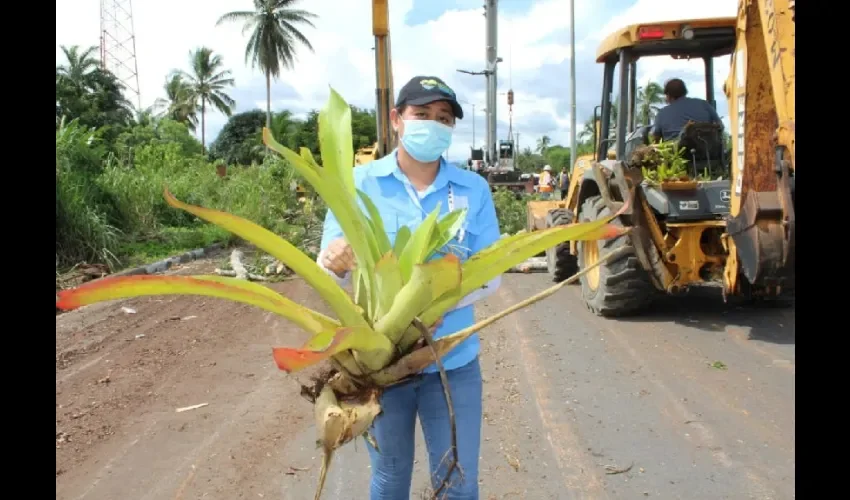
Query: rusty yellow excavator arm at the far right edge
x=761 y=94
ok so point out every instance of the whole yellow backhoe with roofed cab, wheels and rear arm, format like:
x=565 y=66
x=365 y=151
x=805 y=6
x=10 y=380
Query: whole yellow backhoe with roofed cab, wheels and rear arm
x=682 y=196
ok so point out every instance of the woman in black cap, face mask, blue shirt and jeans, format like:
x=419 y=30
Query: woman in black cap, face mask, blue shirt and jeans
x=406 y=186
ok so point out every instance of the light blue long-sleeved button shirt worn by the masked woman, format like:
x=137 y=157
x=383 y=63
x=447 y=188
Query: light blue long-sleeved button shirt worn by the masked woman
x=400 y=205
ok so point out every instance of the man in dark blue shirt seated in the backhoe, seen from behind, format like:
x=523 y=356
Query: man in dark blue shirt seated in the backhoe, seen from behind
x=680 y=109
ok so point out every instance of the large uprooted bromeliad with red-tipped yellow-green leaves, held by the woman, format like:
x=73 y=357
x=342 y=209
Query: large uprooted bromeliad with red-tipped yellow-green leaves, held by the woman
x=401 y=288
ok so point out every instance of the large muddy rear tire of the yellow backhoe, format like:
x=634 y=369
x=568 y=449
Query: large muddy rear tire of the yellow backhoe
x=617 y=288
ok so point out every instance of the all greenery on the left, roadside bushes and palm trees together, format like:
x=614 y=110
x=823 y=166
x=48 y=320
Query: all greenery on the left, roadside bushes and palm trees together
x=113 y=161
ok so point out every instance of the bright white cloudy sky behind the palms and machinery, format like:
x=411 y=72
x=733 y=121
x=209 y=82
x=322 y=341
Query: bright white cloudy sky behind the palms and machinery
x=167 y=30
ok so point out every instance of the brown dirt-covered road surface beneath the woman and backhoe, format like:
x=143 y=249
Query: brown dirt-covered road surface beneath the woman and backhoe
x=696 y=405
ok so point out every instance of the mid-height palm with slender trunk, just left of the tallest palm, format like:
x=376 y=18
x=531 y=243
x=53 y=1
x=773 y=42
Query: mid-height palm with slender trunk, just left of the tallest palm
x=206 y=83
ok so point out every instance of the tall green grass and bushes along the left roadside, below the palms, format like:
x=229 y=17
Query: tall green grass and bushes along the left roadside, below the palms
x=111 y=209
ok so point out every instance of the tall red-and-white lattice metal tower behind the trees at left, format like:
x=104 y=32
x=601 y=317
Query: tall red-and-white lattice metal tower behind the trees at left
x=118 y=44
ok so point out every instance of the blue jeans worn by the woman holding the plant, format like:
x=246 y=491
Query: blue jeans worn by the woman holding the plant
x=393 y=430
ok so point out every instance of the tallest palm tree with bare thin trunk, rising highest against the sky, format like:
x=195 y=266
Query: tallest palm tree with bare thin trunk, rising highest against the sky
x=273 y=38
